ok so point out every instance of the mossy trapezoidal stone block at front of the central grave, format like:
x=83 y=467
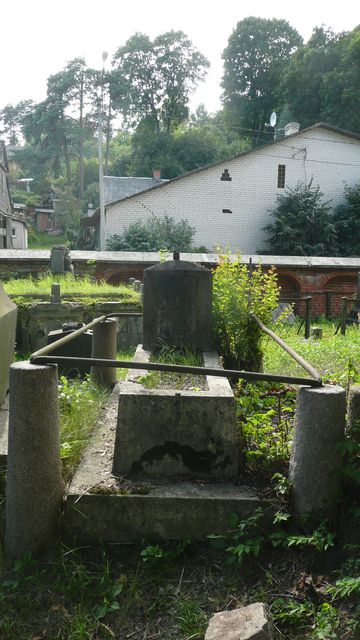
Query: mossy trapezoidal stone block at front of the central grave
x=164 y=433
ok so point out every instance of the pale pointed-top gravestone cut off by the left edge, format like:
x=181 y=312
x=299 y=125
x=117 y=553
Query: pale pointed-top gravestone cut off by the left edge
x=8 y=314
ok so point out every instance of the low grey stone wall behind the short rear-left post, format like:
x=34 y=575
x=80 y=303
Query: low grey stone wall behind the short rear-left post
x=35 y=322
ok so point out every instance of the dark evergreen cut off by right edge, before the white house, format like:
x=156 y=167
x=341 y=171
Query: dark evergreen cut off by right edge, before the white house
x=347 y=223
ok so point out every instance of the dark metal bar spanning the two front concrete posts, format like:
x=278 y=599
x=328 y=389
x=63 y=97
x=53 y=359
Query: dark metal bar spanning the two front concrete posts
x=175 y=368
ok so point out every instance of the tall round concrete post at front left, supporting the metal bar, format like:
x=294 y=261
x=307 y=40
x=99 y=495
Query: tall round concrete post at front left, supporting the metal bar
x=34 y=487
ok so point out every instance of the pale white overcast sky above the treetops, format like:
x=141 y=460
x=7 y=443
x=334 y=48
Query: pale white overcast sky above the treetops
x=38 y=37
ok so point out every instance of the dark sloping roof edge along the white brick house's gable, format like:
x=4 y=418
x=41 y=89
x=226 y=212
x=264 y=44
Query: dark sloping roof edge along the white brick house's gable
x=319 y=125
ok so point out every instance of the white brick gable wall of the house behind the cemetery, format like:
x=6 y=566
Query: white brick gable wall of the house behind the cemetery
x=228 y=202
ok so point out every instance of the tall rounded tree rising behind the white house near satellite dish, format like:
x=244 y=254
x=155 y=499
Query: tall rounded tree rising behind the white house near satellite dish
x=257 y=53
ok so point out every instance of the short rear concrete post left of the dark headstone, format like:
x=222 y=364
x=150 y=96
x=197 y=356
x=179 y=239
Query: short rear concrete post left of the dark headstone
x=104 y=346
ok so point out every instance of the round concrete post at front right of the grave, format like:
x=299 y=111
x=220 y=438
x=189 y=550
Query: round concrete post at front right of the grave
x=315 y=460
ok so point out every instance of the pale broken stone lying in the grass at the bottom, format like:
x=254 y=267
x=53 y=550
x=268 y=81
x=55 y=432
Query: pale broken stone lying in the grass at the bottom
x=247 y=623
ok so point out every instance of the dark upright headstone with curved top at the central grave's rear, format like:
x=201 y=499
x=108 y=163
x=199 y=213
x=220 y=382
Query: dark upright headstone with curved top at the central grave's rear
x=177 y=305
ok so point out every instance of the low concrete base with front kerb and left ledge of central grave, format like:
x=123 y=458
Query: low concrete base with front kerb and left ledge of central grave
x=103 y=507
